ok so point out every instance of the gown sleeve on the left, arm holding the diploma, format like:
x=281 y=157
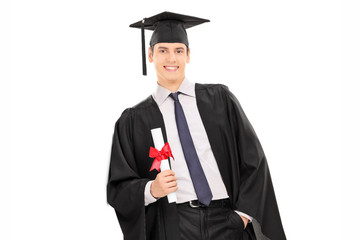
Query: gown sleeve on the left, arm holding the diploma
x=125 y=189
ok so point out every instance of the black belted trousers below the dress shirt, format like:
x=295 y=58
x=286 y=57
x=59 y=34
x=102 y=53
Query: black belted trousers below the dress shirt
x=212 y=223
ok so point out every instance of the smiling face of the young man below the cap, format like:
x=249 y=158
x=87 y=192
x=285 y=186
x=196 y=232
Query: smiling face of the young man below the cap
x=169 y=61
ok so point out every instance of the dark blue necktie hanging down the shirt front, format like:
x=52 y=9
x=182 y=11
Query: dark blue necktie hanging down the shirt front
x=197 y=174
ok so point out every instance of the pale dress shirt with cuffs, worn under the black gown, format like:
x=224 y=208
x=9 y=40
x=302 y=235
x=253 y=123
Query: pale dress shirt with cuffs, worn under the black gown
x=186 y=191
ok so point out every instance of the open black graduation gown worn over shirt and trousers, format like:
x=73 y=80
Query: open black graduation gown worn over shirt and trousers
x=237 y=150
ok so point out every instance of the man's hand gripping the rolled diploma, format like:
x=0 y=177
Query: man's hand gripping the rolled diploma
x=164 y=183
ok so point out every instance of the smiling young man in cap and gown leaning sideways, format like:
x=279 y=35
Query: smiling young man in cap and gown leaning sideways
x=220 y=174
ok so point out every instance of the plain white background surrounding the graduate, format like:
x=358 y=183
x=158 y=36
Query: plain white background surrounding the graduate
x=74 y=66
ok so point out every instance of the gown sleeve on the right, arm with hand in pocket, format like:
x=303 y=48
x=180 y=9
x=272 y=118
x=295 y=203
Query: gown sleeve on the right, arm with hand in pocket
x=256 y=196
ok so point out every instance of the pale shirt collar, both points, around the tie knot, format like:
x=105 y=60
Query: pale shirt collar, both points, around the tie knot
x=161 y=93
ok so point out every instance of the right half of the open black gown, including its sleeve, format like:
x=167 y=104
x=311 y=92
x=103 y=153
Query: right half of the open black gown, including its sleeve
x=240 y=158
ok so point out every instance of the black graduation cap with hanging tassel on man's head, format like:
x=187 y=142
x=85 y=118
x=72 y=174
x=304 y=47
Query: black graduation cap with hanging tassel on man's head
x=168 y=27
